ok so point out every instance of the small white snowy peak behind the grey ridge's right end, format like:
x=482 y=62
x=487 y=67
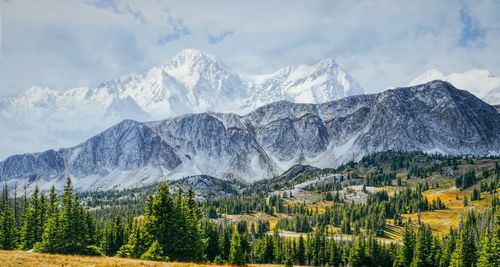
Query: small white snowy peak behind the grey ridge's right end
x=477 y=81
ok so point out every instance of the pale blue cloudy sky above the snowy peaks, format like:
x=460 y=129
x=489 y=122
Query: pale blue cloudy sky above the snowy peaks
x=63 y=44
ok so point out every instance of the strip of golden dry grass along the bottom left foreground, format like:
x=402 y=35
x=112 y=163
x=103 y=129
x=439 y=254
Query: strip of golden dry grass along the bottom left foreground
x=25 y=259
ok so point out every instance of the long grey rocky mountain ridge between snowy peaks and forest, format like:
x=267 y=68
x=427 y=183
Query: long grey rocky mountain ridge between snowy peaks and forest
x=433 y=117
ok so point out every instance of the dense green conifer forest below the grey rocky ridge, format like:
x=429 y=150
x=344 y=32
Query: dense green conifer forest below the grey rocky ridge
x=166 y=225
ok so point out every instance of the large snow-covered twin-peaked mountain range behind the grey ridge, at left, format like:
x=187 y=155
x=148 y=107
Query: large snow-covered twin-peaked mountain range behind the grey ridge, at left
x=191 y=82
